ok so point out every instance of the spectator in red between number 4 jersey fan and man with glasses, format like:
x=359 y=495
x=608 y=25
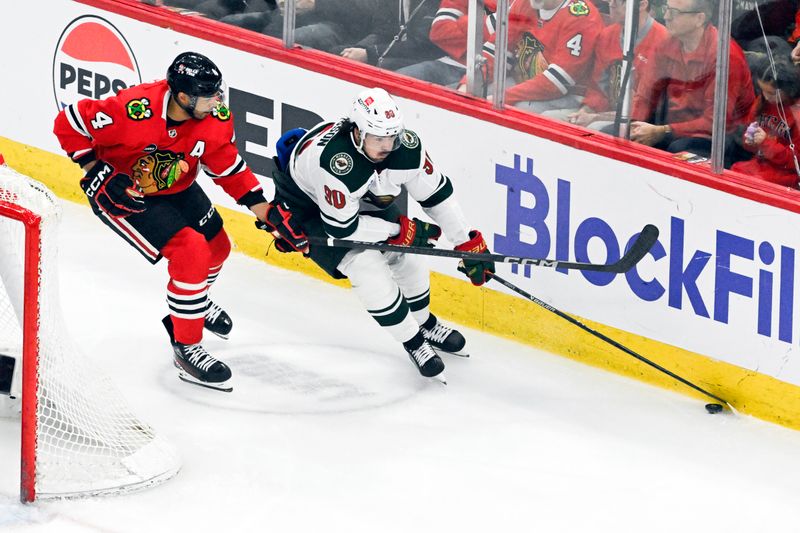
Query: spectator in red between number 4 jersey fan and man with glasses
x=599 y=106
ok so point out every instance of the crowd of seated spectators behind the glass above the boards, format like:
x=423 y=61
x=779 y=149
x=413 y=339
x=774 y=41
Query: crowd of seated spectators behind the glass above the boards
x=564 y=61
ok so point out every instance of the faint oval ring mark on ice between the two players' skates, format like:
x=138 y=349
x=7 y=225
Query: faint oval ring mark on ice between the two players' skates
x=307 y=379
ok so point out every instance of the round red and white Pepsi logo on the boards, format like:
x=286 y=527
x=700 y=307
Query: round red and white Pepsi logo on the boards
x=92 y=60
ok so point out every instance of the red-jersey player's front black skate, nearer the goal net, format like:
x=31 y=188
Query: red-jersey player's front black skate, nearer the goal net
x=196 y=366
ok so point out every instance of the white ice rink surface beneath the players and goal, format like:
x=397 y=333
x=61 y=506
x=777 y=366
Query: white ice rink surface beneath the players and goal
x=330 y=428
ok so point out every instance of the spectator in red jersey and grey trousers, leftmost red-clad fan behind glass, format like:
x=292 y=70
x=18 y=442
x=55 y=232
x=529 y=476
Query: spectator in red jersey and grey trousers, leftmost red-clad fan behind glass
x=449 y=32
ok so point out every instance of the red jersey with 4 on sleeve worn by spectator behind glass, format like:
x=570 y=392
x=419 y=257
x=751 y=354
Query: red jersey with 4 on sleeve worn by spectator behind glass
x=551 y=49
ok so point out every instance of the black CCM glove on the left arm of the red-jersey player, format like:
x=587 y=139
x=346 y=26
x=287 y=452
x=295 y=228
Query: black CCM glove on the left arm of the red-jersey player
x=111 y=192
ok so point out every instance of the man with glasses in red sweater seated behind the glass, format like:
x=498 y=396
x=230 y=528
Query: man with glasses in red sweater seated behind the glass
x=674 y=101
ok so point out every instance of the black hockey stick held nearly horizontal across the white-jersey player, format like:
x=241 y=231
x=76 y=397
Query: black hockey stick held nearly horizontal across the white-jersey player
x=636 y=252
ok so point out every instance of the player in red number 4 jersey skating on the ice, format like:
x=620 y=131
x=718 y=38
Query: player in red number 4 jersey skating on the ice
x=141 y=151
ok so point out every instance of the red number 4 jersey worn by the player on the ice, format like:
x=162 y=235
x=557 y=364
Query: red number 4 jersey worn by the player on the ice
x=130 y=132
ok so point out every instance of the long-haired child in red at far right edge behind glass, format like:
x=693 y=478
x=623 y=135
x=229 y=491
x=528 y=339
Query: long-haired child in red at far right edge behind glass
x=772 y=130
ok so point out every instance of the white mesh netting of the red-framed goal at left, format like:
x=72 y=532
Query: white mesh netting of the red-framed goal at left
x=87 y=441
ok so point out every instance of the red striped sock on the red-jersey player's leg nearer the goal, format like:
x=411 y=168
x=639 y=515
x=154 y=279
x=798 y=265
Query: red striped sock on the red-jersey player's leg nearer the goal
x=189 y=257
